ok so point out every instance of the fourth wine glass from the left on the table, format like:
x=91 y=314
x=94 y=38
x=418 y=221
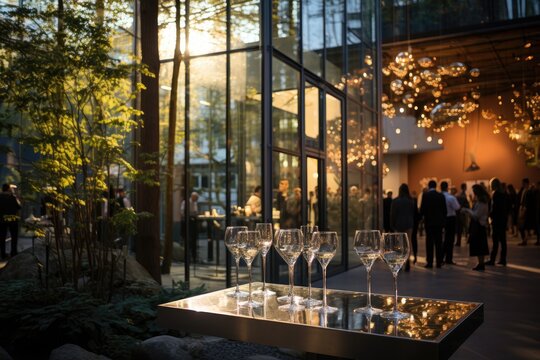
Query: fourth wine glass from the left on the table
x=289 y=244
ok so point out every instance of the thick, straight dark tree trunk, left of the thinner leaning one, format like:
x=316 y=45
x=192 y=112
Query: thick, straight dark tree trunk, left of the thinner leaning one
x=147 y=241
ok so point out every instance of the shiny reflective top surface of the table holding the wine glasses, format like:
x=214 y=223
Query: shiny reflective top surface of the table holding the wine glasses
x=430 y=319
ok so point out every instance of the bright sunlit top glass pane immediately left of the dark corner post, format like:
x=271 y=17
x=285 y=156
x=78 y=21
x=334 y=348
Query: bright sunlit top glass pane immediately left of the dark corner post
x=244 y=23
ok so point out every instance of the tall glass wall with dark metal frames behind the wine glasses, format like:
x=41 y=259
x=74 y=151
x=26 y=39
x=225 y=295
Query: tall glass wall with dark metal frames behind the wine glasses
x=316 y=110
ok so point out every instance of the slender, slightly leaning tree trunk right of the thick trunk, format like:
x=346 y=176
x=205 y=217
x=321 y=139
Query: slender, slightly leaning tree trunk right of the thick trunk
x=171 y=142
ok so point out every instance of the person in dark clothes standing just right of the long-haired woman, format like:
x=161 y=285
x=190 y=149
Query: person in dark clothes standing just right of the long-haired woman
x=499 y=219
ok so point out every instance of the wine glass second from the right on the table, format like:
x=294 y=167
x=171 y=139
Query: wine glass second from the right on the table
x=367 y=244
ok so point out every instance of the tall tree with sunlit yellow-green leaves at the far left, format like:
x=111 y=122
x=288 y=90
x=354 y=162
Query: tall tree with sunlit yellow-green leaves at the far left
x=59 y=71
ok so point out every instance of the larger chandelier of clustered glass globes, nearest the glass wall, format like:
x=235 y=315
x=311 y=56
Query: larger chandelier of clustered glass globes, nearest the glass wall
x=420 y=85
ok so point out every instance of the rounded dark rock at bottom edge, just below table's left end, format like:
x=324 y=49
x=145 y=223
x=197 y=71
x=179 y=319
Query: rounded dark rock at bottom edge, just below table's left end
x=162 y=347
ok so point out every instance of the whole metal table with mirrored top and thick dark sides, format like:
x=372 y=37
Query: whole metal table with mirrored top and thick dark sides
x=435 y=329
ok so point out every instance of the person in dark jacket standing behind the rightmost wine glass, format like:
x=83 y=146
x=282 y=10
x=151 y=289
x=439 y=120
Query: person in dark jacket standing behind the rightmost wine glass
x=402 y=212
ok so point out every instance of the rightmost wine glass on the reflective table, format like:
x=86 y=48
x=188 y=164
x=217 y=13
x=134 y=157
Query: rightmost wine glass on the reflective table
x=395 y=251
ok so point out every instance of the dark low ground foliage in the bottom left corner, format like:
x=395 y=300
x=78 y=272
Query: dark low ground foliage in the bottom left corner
x=35 y=321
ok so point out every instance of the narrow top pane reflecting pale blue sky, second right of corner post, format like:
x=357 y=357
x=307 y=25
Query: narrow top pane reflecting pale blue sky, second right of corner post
x=312 y=28
